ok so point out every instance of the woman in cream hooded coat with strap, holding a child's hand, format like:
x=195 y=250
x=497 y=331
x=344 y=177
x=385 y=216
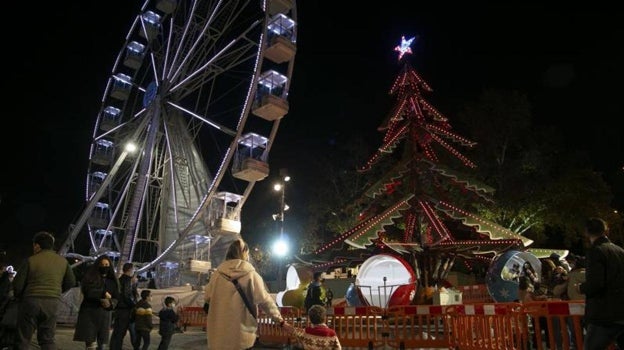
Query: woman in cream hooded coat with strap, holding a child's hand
x=230 y=325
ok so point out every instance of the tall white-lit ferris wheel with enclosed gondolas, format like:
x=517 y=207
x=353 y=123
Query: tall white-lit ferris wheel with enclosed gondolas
x=186 y=123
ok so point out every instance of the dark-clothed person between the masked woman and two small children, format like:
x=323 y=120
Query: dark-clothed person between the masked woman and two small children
x=123 y=319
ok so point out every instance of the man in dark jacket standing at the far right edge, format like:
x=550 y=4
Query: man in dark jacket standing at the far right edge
x=603 y=288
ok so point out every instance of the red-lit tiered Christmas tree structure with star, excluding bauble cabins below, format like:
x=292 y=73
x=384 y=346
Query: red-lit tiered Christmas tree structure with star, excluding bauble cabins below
x=406 y=210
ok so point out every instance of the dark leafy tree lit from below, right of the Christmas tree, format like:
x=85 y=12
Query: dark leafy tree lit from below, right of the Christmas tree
x=541 y=189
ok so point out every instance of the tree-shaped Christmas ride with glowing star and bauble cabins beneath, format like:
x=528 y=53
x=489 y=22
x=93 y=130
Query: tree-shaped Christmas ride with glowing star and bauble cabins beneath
x=410 y=231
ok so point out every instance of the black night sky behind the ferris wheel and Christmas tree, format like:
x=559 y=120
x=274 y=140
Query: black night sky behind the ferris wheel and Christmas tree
x=568 y=61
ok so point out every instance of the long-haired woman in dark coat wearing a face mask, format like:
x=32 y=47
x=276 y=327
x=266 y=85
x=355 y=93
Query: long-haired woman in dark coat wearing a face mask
x=100 y=290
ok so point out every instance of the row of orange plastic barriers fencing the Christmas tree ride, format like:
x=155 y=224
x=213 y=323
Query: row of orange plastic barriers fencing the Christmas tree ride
x=481 y=326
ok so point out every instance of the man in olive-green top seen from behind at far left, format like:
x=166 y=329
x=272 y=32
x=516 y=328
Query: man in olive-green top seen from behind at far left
x=38 y=286
